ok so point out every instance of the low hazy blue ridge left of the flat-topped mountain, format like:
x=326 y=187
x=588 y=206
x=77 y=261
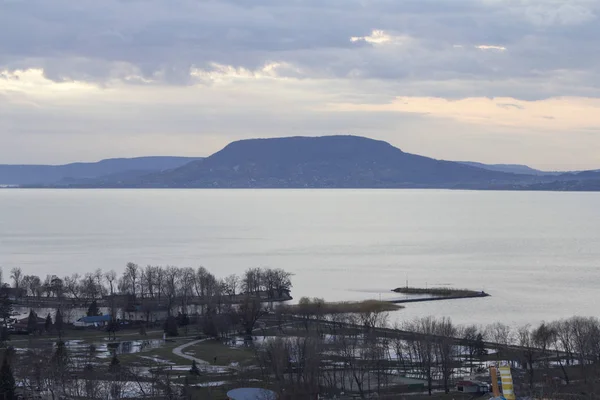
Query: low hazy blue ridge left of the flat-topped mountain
x=54 y=174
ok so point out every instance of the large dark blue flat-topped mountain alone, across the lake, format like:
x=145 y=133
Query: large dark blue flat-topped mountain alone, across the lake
x=320 y=162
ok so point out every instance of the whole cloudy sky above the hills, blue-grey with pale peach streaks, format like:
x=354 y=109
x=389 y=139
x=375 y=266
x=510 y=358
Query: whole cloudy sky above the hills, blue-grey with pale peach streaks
x=496 y=81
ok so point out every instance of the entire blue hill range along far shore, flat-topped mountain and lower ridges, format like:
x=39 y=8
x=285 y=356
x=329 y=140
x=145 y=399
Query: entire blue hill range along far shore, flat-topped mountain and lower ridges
x=304 y=162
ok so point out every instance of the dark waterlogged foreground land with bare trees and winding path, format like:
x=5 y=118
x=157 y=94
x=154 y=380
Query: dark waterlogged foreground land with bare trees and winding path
x=333 y=350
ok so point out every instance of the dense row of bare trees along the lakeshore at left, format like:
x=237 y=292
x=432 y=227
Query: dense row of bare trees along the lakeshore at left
x=154 y=282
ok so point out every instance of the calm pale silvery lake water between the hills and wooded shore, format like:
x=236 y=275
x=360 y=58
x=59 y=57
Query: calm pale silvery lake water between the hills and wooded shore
x=537 y=253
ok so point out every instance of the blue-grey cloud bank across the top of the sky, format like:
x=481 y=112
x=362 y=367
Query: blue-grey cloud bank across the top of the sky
x=98 y=41
